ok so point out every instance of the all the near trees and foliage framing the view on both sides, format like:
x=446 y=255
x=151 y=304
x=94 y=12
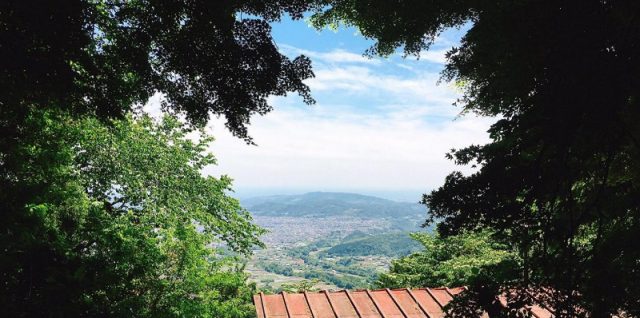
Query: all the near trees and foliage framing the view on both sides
x=106 y=212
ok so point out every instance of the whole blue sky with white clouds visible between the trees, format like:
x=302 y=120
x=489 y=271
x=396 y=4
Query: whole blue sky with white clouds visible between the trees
x=381 y=126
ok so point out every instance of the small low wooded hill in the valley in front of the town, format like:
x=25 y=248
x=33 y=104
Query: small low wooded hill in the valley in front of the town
x=390 y=244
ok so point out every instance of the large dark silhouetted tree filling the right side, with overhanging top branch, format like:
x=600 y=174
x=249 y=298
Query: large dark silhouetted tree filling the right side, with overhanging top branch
x=560 y=180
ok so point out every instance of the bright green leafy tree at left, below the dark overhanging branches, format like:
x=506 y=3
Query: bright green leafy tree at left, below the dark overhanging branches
x=125 y=225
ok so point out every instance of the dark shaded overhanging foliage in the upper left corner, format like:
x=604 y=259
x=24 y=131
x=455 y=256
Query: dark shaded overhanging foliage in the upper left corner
x=103 y=57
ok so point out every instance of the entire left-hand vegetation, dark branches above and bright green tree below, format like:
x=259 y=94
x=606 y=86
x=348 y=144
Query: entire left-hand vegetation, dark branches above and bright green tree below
x=105 y=213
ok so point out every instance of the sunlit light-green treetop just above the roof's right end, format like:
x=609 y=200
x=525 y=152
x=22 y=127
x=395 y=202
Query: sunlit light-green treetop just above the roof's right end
x=452 y=261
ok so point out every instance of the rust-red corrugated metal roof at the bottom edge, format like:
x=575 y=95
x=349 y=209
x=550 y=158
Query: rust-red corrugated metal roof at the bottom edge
x=382 y=303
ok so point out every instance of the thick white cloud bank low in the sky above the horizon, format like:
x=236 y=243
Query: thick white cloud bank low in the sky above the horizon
x=297 y=149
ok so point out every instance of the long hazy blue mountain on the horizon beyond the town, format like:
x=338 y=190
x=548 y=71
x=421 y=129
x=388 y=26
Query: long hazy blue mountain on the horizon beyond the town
x=322 y=204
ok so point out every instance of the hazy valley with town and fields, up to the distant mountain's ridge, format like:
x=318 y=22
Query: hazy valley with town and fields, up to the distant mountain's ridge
x=334 y=240
